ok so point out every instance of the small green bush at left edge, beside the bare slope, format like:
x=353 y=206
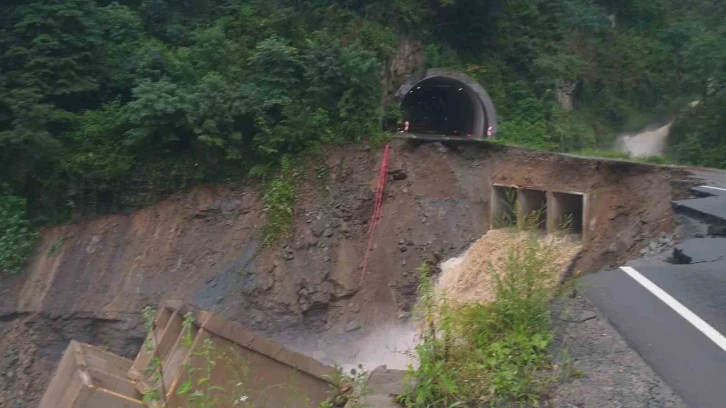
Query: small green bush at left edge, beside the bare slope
x=17 y=239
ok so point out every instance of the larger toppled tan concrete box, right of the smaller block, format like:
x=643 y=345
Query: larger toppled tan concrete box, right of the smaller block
x=206 y=356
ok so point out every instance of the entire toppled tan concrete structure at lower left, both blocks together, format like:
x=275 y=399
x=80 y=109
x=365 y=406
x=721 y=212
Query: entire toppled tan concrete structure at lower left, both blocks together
x=190 y=357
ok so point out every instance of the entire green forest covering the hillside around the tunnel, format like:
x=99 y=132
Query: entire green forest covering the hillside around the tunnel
x=105 y=106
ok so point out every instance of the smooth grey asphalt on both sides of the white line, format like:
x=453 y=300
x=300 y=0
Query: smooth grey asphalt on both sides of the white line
x=691 y=363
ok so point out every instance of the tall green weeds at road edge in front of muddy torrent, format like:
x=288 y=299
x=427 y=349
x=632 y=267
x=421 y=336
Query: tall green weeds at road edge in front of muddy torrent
x=494 y=353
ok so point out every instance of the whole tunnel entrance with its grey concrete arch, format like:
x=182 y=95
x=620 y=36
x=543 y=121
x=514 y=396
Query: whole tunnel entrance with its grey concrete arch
x=468 y=104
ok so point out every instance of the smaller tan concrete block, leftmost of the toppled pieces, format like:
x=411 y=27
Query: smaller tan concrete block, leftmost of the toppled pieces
x=88 y=377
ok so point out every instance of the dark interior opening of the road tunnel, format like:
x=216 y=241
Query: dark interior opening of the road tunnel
x=440 y=106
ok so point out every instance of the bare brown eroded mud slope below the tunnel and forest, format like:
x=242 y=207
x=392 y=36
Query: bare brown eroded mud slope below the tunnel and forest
x=203 y=247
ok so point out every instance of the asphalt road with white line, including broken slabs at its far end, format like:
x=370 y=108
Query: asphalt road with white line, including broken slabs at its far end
x=675 y=315
